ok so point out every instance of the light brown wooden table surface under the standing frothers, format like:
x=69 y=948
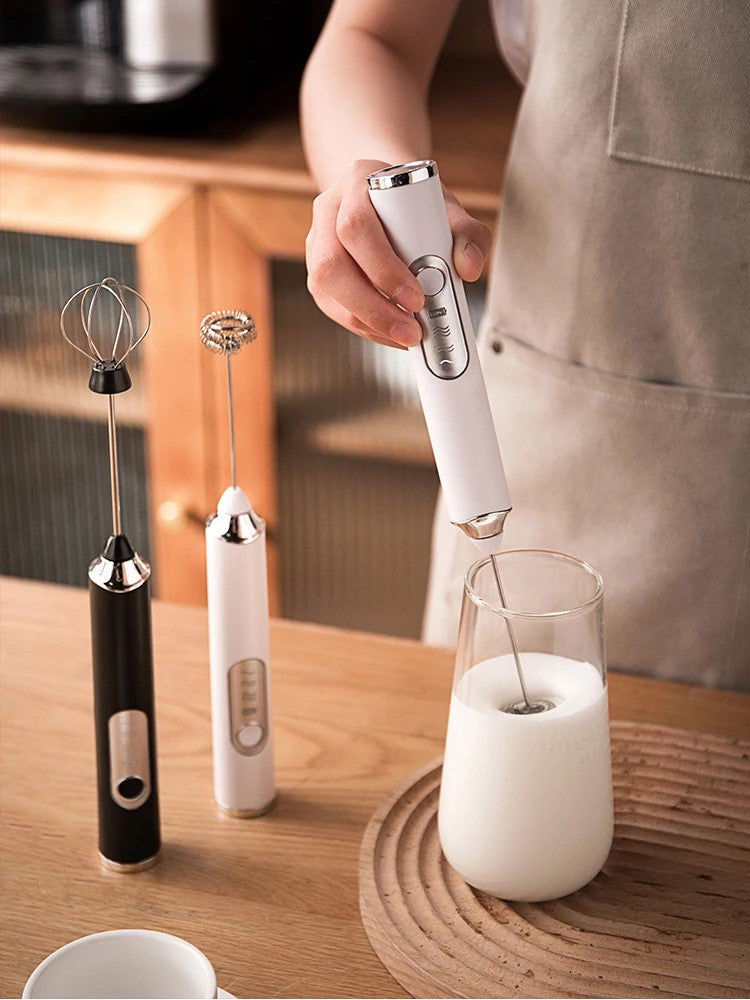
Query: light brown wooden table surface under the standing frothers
x=273 y=902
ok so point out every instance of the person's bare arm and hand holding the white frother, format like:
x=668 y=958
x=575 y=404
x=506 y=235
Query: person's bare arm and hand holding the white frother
x=364 y=106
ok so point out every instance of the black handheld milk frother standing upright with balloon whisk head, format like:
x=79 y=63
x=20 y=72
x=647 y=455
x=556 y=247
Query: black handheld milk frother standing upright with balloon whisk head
x=119 y=592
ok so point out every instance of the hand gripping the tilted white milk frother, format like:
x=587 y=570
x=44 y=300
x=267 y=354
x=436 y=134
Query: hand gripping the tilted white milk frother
x=353 y=273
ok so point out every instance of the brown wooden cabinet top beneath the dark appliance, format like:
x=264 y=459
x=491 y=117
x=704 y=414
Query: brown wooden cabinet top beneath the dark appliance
x=472 y=106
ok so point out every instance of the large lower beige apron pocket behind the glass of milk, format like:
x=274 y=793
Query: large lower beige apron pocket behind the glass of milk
x=648 y=482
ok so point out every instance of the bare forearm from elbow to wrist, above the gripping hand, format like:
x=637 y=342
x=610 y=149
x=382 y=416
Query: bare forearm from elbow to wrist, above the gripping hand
x=361 y=100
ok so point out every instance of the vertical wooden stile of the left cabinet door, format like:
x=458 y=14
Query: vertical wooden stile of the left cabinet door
x=182 y=429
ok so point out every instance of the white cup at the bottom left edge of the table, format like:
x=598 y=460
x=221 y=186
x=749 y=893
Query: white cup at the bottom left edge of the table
x=124 y=963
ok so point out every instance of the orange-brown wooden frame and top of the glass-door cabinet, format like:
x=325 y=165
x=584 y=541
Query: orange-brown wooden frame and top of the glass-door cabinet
x=205 y=218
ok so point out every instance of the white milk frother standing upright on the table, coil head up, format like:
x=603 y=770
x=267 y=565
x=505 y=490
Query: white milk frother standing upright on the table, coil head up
x=238 y=620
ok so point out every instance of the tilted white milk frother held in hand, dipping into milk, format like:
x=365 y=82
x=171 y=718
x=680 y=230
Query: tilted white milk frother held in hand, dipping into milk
x=408 y=199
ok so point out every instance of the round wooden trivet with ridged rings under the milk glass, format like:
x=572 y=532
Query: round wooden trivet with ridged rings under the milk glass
x=668 y=916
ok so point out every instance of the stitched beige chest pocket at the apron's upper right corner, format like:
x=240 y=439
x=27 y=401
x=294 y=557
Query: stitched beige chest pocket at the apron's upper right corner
x=682 y=86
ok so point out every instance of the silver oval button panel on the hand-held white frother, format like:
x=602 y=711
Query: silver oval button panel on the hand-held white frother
x=444 y=346
